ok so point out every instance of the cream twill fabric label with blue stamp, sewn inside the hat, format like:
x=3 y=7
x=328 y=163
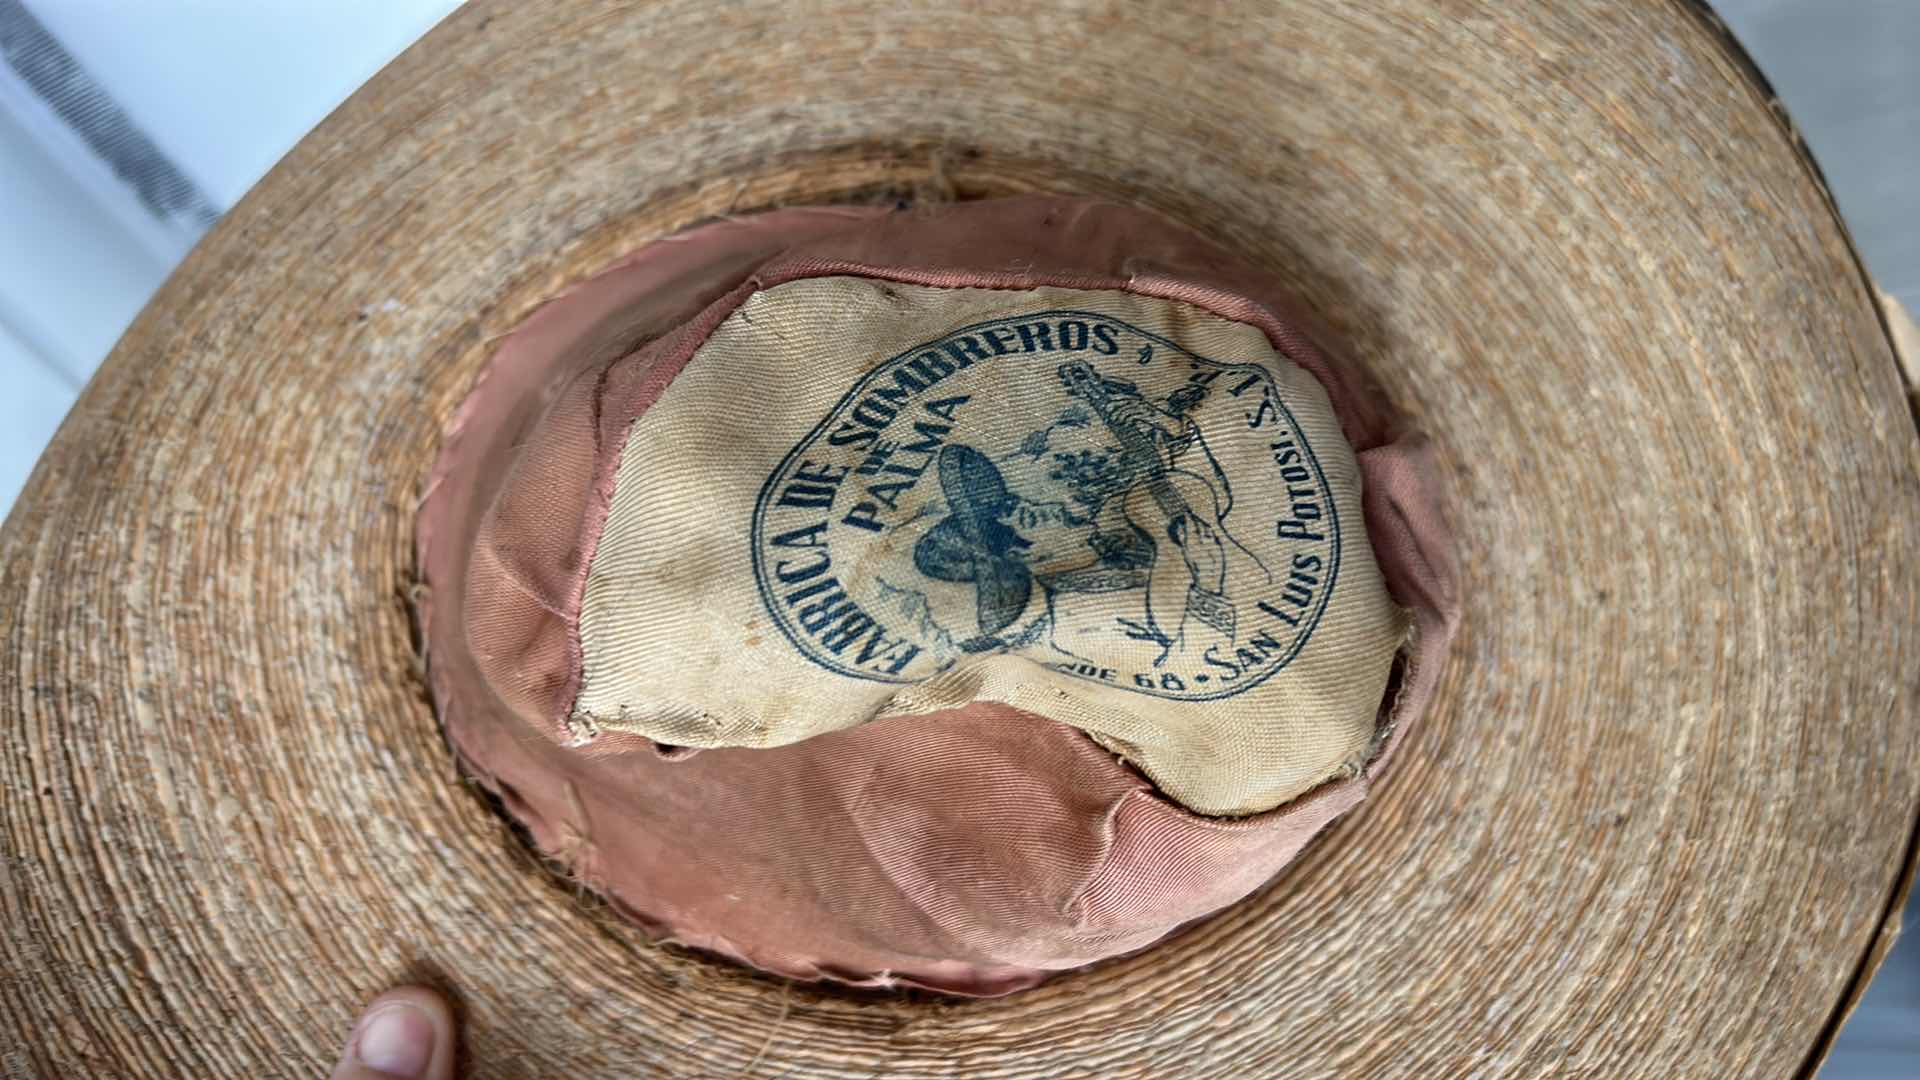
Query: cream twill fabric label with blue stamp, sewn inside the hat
x=865 y=499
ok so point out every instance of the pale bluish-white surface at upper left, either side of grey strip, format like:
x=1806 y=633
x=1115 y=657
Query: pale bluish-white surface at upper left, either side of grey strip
x=224 y=87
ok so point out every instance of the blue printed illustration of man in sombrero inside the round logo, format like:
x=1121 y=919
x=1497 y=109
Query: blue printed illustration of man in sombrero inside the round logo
x=1132 y=551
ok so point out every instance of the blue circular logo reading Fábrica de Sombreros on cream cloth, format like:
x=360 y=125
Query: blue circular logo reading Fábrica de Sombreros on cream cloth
x=1061 y=487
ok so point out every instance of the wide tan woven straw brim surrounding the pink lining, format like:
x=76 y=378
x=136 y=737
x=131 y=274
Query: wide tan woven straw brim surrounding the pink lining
x=1658 y=820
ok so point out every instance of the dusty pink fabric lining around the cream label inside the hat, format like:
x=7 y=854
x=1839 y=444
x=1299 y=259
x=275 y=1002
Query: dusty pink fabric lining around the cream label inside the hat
x=971 y=852
